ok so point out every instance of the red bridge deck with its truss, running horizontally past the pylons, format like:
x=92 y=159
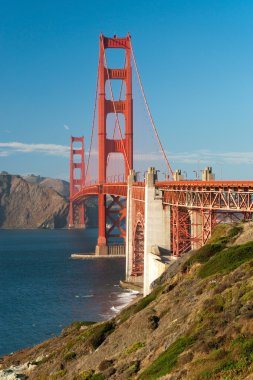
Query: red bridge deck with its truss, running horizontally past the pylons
x=211 y=195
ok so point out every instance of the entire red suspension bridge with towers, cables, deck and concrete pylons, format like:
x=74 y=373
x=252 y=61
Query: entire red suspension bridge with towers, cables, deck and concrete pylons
x=176 y=214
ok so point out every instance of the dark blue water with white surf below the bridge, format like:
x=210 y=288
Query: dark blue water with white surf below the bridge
x=42 y=289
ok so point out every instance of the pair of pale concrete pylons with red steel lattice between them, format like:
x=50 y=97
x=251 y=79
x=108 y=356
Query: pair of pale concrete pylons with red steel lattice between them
x=153 y=241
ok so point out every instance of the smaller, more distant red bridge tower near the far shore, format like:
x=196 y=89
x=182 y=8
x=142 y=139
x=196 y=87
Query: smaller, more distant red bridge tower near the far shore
x=77 y=181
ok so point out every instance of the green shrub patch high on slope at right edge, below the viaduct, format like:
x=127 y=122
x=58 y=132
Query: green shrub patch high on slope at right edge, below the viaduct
x=228 y=260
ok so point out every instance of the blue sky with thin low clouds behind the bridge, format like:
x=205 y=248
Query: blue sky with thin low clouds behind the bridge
x=196 y=62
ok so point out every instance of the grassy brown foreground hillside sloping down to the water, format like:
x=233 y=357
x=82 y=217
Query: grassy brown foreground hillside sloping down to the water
x=196 y=324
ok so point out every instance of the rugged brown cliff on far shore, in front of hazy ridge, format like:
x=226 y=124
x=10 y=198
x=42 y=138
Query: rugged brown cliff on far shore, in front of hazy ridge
x=28 y=205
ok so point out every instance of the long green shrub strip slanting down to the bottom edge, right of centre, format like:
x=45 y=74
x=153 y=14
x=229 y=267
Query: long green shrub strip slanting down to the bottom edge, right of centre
x=168 y=359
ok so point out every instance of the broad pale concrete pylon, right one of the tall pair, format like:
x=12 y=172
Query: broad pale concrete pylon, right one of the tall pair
x=157 y=231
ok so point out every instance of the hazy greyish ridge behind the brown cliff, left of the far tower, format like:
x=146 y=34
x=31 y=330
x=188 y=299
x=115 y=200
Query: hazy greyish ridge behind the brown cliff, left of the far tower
x=59 y=185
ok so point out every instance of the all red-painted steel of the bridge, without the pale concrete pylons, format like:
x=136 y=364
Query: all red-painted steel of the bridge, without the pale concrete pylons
x=195 y=206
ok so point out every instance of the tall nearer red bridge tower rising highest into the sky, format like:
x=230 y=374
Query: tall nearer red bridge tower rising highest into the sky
x=124 y=145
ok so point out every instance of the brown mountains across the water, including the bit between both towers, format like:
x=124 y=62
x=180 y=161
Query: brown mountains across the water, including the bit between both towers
x=37 y=202
